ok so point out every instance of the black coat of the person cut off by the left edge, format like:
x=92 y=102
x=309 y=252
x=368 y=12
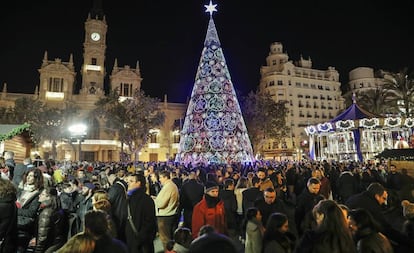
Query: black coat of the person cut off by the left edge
x=8 y=224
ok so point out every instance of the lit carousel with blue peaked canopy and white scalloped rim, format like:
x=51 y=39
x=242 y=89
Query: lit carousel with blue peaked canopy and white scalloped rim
x=358 y=135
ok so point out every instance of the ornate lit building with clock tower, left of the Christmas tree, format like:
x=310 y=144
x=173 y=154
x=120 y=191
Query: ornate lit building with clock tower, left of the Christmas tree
x=57 y=89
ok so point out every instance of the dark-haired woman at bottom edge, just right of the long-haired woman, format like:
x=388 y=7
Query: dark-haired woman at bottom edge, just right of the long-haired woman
x=366 y=233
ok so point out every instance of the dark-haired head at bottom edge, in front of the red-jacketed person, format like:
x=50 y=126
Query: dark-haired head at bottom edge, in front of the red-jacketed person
x=212 y=242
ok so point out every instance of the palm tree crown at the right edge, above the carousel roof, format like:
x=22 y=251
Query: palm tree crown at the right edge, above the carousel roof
x=401 y=85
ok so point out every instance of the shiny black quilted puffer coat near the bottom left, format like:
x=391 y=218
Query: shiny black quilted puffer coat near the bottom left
x=52 y=229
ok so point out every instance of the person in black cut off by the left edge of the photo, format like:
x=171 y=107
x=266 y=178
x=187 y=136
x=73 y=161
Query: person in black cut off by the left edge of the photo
x=8 y=217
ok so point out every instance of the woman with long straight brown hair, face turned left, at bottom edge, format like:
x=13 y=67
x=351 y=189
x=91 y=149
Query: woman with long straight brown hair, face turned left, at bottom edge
x=331 y=233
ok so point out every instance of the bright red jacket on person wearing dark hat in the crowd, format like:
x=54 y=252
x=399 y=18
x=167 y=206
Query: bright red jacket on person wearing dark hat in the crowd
x=202 y=215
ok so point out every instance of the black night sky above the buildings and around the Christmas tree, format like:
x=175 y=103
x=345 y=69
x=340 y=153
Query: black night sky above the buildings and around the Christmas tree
x=167 y=37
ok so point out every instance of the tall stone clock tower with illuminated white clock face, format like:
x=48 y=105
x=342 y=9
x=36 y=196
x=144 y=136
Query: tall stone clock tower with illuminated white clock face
x=94 y=47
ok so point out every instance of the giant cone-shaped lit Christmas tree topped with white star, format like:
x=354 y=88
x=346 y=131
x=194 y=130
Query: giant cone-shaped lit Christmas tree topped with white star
x=214 y=131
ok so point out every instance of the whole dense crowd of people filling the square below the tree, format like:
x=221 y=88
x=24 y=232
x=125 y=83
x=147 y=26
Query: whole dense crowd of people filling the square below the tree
x=267 y=206
